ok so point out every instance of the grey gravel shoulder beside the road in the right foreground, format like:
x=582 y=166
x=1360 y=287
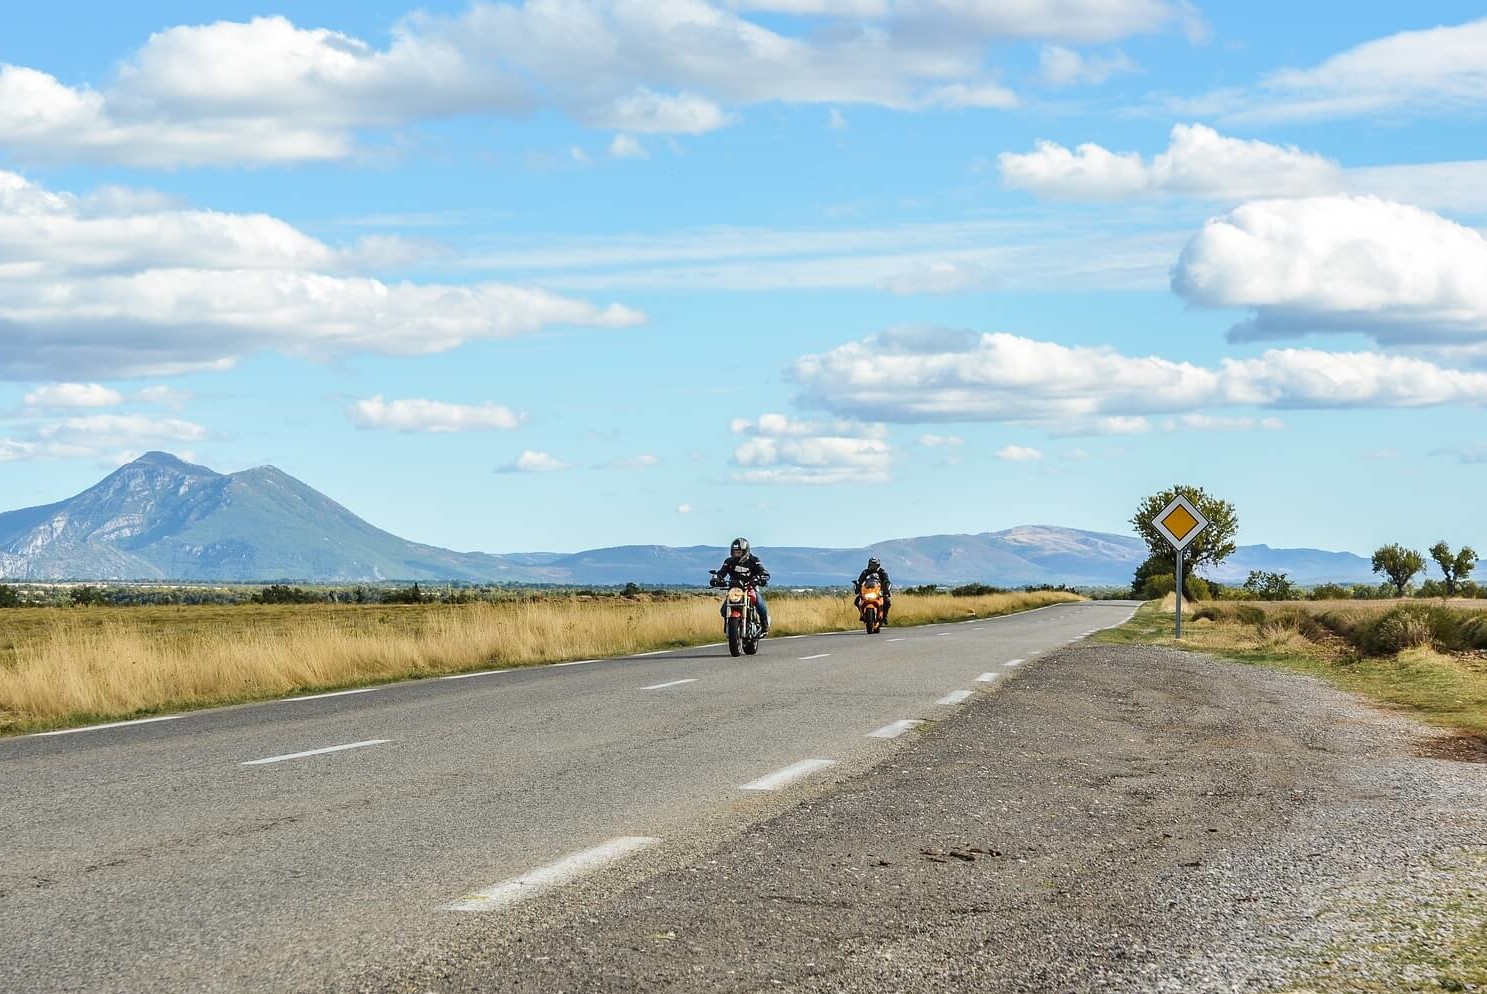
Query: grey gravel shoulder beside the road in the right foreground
x=1115 y=819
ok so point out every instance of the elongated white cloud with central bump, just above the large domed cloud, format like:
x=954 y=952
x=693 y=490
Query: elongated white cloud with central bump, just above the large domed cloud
x=1199 y=163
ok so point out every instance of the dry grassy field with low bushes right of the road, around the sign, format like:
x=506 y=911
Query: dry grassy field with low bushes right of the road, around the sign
x=1428 y=658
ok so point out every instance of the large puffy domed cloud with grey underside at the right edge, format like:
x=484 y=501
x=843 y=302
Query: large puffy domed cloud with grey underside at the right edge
x=1341 y=264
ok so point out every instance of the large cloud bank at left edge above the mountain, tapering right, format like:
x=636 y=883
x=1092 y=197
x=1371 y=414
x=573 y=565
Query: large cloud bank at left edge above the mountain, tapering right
x=170 y=291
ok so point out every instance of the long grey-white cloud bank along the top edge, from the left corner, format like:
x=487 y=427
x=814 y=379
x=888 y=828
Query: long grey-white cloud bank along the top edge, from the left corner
x=273 y=92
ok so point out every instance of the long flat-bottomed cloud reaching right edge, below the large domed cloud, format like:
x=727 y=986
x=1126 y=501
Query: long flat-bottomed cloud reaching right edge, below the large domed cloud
x=936 y=376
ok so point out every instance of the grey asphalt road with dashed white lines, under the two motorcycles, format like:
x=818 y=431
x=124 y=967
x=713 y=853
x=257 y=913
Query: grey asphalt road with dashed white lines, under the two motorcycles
x=212 y=853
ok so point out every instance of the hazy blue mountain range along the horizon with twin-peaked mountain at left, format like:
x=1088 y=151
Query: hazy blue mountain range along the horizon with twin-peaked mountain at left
x=167 y=520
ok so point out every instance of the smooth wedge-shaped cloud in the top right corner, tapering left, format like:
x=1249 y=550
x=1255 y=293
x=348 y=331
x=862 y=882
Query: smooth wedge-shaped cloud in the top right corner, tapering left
x=1437 y=72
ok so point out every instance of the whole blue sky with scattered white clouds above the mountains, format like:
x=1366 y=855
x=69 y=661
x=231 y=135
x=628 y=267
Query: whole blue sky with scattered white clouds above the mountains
x=560 y=275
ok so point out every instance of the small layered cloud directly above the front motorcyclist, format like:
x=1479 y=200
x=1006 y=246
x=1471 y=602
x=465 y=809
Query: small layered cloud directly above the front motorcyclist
x=780 y=450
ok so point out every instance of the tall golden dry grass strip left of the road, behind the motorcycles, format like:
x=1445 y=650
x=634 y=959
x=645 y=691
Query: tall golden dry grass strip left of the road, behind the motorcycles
x=75 y=666
